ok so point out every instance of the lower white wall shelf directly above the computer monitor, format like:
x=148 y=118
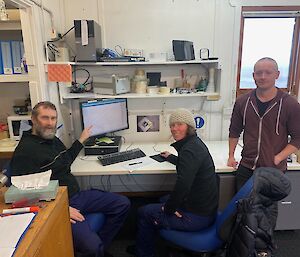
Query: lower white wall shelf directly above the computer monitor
x=213 y=96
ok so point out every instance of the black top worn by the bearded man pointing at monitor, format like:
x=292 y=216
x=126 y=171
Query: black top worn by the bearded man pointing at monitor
x=35 y=154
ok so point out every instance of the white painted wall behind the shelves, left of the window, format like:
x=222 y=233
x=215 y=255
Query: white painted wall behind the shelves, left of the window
x=151 y=26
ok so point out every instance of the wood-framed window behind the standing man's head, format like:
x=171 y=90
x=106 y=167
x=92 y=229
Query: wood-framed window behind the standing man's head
x=270 y=32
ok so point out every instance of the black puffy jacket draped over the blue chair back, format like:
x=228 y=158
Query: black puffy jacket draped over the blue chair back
x=253 y=231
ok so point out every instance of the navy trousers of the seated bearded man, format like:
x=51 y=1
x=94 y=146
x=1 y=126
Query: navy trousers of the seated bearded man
x=115 y=208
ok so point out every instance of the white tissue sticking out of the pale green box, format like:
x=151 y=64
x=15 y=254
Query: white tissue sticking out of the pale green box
x=32 y=181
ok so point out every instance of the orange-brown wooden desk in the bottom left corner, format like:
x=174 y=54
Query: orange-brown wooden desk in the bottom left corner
x=50 y=233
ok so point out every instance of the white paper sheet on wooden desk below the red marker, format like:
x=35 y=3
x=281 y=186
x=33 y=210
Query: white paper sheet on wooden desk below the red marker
x=14 y=227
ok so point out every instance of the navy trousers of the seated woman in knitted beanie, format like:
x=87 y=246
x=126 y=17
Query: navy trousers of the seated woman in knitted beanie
x=151 y=218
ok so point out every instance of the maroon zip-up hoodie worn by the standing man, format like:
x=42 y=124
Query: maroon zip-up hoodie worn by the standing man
x=265 y=136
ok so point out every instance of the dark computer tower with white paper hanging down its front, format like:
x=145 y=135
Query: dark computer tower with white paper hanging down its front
x=87 y=40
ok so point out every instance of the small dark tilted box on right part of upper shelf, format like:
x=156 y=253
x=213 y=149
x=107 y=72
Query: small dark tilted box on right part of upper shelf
x=183 y=50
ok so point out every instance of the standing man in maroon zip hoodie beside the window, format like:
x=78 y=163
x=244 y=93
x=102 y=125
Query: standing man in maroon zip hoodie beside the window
x=267 y=116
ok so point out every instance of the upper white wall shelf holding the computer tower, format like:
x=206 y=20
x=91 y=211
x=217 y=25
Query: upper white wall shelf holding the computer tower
x=136 y=63
